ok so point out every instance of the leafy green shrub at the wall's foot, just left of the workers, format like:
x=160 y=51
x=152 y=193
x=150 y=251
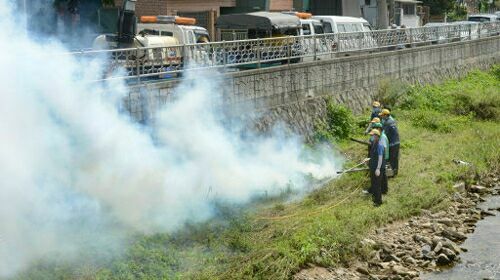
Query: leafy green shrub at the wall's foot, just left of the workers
x=336 y=125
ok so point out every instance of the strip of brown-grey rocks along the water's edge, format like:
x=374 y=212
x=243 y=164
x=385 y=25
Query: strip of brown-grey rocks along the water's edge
x=428 y=243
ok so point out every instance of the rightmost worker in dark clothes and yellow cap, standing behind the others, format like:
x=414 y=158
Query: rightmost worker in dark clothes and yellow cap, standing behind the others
x=391 y=131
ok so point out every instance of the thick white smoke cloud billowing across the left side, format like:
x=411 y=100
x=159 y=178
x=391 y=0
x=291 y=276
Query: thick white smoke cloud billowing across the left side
x=74 y=170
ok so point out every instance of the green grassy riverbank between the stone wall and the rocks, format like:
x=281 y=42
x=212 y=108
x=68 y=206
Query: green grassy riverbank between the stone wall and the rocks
x=273 y=239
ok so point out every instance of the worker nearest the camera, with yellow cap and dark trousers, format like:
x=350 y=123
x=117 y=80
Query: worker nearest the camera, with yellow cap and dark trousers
x=377 y=167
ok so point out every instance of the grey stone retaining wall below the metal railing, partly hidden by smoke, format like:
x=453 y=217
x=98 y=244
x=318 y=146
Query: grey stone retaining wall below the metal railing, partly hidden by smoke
x=295 y=94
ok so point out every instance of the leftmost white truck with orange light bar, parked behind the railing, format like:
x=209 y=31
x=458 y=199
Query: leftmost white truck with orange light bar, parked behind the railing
x=152 y=44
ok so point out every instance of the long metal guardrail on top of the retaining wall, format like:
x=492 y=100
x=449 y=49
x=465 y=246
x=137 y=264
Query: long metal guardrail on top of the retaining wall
x=162 y=62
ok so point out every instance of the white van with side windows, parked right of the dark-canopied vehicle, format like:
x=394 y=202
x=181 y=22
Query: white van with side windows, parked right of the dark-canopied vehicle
x=349 y=42
